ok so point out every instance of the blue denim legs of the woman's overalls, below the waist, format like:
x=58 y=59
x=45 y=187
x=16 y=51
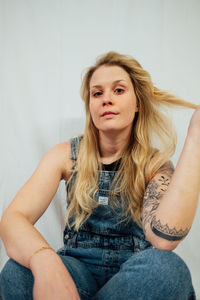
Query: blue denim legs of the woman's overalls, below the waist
x=151 y=274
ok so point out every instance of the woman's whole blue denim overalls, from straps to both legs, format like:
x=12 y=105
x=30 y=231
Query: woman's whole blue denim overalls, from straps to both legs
x=108 y=258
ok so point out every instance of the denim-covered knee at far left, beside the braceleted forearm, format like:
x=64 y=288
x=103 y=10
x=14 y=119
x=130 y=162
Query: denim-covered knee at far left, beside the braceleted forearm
x=16 y=281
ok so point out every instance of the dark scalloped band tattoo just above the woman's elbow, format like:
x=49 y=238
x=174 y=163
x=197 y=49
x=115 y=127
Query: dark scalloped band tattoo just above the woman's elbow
x=167 y=233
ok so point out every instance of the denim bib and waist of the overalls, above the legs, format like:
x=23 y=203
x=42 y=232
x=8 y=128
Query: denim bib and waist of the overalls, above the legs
x=104 y=223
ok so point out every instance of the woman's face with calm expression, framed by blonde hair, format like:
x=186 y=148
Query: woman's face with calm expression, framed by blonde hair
x=113 y=101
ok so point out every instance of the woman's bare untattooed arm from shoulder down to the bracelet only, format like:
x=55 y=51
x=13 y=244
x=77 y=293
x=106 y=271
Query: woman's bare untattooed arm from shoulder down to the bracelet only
x=20 y=237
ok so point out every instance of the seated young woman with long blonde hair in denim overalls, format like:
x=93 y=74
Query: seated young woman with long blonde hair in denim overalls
x=128 y=208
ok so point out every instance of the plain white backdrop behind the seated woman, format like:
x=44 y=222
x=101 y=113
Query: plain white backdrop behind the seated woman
x=44 y=47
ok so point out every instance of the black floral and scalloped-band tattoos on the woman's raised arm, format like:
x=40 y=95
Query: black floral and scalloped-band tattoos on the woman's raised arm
x=153 y=194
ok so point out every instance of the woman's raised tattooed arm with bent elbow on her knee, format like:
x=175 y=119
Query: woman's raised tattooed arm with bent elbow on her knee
x=171 y=198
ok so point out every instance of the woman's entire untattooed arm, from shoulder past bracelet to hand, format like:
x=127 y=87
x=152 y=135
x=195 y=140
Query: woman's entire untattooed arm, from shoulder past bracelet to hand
x=22 y=239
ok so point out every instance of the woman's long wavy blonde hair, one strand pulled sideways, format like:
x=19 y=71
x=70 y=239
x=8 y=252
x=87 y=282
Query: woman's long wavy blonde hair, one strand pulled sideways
x=152 y=143
